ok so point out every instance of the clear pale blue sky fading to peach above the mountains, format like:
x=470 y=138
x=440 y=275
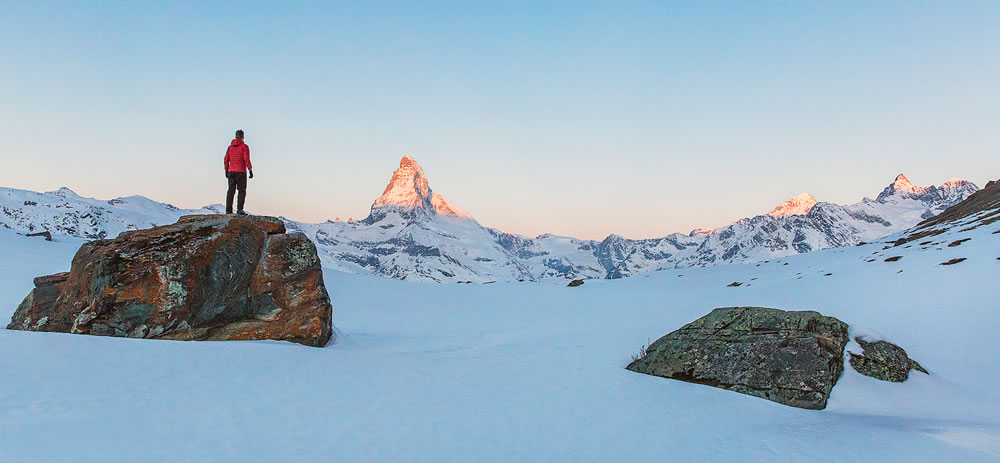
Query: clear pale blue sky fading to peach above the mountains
x=574 y=118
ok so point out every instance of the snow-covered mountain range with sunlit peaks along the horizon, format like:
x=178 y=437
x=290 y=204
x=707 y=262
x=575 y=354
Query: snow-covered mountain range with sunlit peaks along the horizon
x=413 y=233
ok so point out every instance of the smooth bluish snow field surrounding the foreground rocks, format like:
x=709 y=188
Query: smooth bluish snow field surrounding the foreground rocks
x=518 y=371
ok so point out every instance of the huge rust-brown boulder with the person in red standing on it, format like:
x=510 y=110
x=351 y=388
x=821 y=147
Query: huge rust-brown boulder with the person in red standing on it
x=206 y=277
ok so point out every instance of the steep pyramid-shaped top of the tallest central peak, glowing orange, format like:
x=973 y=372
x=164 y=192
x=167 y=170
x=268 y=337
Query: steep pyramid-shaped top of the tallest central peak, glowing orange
x=409 y=194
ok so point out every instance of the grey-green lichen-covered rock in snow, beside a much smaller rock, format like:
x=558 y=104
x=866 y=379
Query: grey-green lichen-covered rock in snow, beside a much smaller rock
x=793 y=358
